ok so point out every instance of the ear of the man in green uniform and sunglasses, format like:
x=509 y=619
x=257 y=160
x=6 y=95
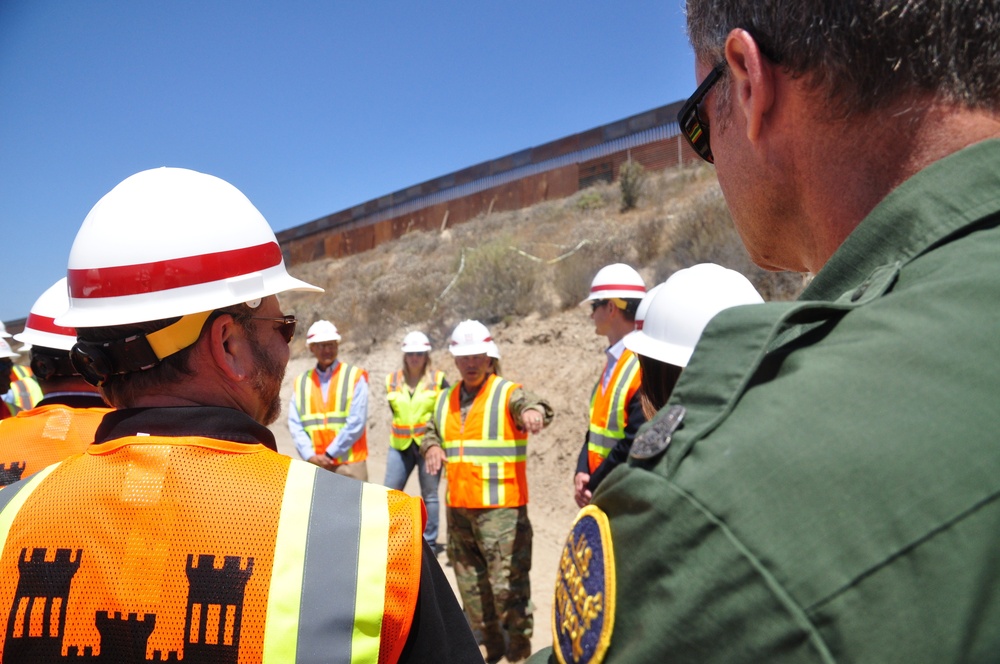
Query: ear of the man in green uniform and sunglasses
x=753 y=81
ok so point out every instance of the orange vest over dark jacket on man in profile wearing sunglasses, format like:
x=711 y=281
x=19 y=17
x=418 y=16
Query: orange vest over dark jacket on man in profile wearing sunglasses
x=609 y=408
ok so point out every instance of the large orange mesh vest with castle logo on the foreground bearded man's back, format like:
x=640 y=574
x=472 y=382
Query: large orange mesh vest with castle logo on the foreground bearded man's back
x=204 y=550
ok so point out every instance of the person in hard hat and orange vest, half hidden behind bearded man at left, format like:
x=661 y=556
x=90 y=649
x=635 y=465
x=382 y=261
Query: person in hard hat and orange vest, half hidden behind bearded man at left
x=64 y=421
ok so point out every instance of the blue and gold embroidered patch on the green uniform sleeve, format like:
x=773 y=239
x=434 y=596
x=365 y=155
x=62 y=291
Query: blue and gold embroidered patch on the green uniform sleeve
x=583 y=613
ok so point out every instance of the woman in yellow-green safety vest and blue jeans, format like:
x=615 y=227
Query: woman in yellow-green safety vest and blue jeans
x=411 y=393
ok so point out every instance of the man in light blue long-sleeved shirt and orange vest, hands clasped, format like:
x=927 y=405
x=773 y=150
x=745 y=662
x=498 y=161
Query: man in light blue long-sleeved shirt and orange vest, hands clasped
x=328 y=416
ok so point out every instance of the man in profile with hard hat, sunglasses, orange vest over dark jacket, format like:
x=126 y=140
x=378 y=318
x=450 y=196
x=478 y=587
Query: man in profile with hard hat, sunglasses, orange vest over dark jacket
x=615 y=405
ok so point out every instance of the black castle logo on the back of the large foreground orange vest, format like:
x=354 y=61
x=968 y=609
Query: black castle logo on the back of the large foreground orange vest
x=37 y=618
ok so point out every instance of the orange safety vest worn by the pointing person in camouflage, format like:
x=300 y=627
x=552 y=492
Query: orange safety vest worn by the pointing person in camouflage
x=487 y=453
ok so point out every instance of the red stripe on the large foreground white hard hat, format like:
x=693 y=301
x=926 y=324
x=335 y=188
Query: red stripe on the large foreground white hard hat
x=171 y=273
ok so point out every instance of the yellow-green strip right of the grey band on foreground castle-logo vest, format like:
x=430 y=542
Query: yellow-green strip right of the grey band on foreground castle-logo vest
x=370 y=606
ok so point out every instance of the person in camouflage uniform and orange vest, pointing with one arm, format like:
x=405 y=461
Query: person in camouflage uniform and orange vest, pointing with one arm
x=479 y=431
